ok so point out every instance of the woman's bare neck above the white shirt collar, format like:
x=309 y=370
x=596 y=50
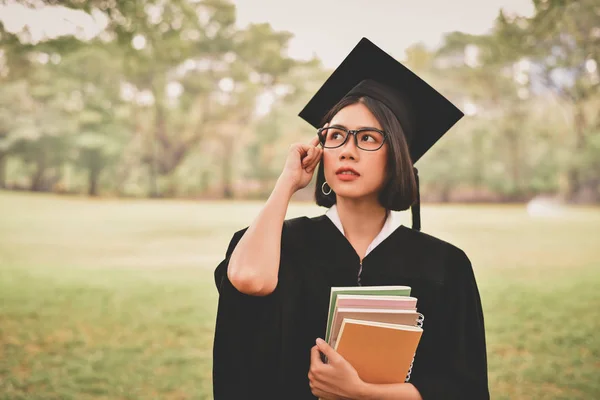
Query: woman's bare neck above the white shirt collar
x=361 y=218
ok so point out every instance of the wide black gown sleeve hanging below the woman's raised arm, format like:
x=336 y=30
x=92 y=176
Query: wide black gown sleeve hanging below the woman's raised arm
x=245 y=342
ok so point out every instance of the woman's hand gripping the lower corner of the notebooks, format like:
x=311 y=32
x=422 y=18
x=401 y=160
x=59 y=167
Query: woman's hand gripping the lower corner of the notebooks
x=335 y=380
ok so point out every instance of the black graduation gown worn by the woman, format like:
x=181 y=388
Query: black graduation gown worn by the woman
x=262 y=344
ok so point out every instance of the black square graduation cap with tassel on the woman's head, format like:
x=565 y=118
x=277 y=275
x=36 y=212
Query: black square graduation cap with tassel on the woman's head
x=424 y=114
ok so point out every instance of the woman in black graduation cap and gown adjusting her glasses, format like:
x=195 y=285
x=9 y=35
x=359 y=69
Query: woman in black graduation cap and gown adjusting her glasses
x=275 y=280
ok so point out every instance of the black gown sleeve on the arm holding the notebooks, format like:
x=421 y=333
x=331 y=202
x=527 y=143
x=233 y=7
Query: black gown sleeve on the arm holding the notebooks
x=458 y=366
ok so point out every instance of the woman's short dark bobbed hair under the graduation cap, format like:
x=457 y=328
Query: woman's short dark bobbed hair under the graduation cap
x=400 y=190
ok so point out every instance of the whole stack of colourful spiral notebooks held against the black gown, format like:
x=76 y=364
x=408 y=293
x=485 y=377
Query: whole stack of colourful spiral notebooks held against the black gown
x=376 y=329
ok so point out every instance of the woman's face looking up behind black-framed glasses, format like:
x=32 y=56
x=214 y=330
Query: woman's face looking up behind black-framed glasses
x=369 y=165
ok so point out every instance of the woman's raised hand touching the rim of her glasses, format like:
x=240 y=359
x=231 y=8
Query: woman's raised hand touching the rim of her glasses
x=301 y=163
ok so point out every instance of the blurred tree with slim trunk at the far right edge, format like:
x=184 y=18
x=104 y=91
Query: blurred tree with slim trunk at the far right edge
x=562 y=40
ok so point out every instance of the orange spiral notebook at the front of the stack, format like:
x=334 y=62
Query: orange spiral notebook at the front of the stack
x=380 y=352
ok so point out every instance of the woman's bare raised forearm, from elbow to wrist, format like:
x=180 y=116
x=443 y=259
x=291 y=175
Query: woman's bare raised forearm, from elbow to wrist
x=254 y=263
